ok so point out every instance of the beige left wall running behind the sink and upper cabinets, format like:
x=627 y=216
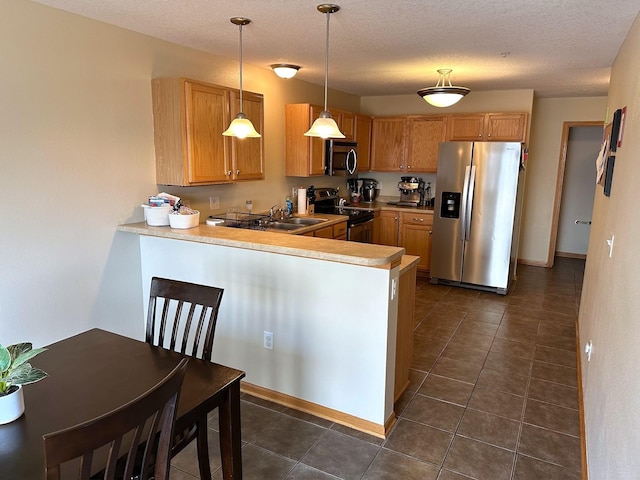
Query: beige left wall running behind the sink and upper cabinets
x=77 y=159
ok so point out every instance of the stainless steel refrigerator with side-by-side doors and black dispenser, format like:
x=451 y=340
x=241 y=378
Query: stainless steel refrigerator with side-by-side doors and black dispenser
x=476 y=221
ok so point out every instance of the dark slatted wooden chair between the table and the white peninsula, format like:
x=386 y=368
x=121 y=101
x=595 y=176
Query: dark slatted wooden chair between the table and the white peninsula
x=182 y=316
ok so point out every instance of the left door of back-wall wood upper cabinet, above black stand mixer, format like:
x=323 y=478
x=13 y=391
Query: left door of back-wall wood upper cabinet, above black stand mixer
x=387 y=144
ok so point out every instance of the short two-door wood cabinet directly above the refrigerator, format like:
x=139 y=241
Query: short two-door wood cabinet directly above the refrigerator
x=488 y=127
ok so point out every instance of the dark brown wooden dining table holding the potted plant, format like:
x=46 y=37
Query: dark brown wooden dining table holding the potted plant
x=97 y=371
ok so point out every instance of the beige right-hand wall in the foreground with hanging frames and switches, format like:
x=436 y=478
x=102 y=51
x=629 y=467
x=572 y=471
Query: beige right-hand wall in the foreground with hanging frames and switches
x=609 y=311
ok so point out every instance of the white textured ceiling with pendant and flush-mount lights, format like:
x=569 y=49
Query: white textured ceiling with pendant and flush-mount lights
x=555 y=47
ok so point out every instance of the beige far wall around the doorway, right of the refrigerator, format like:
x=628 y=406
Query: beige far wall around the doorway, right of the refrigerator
x=548 y=117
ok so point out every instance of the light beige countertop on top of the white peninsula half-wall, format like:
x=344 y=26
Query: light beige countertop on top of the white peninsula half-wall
x=281 y=243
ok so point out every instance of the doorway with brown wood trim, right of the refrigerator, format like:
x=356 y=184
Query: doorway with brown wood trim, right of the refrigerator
x=575 y=189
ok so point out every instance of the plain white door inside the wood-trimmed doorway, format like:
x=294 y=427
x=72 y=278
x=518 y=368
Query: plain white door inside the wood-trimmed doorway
x=578 y=190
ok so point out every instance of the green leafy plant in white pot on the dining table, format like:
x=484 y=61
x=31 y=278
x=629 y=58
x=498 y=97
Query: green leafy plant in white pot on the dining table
x=15 y=371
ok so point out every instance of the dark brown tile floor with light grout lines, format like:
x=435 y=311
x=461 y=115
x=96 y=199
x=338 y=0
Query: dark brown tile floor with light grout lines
x=493 y=396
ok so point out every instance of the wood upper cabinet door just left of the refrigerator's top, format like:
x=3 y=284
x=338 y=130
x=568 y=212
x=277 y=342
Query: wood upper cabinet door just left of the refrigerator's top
x=423 y=137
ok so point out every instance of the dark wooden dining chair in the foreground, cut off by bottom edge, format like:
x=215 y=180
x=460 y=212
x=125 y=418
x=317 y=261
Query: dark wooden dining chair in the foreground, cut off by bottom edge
x=133 y=441
